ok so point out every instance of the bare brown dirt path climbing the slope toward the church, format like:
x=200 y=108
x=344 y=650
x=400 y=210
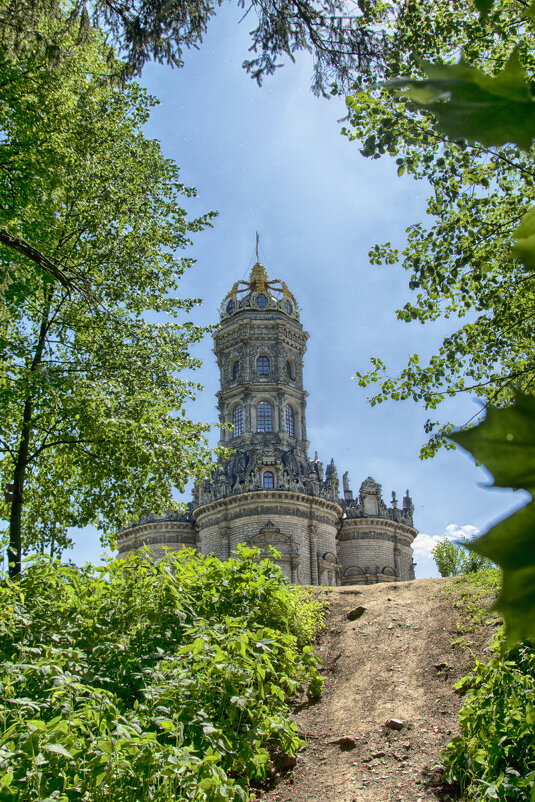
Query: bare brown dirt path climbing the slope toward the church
x=394 y=662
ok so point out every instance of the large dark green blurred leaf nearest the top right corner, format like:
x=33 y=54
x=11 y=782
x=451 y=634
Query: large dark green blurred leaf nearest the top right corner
x=470 y=104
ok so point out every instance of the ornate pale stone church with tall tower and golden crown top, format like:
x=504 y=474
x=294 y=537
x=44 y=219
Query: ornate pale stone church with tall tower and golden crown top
x=270 y=493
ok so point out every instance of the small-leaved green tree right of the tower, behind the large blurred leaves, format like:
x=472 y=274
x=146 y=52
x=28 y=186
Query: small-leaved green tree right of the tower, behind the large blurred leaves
x=459 y=263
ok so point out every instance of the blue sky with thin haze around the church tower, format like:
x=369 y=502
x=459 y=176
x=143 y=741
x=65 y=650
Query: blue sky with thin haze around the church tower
x=272 y=160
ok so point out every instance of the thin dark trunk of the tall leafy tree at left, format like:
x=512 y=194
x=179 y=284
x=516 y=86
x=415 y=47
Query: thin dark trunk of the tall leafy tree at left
x=19 y=474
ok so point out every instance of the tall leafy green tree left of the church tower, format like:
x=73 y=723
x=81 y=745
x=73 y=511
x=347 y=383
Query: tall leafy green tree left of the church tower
x=92 y=416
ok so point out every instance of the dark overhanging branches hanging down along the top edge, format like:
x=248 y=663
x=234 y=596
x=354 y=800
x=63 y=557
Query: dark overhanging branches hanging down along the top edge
x=341 y=41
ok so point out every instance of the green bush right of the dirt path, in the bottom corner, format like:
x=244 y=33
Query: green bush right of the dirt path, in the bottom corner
x=494 y=757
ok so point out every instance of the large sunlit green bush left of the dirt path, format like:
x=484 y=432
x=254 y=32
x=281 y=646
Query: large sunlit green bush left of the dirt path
x=144 y=680
